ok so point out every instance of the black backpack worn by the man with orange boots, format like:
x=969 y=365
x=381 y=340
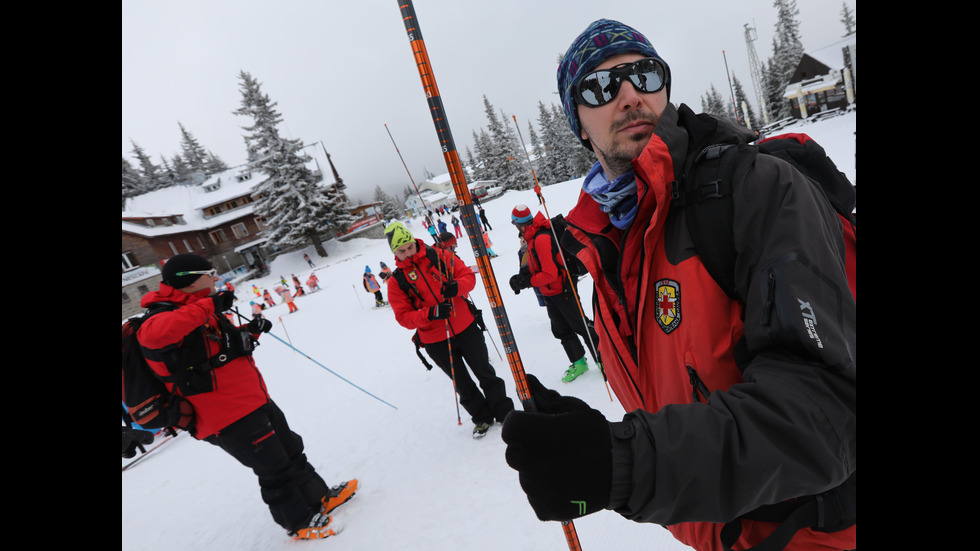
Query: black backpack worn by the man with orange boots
x=144 y=393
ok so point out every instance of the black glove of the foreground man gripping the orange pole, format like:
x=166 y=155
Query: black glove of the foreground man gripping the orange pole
x=562 y=452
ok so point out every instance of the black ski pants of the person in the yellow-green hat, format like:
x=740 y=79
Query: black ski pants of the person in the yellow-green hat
x=470 y=346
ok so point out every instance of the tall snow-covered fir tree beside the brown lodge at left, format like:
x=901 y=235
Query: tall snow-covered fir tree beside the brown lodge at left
x=294 y=208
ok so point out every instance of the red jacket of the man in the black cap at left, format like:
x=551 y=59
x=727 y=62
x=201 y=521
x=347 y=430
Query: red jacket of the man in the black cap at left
x=238 y=386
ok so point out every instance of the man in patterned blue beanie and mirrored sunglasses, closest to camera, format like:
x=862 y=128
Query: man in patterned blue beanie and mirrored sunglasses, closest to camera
x=742 y=411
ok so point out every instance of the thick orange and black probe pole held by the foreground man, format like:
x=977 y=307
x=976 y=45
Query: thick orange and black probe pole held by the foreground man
x=470 y=221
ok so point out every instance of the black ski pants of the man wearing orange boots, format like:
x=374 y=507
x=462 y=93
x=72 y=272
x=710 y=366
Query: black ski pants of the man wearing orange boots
x=263 y=442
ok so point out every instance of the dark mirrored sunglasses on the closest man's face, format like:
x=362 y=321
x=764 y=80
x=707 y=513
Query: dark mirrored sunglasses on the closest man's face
x=598 y=88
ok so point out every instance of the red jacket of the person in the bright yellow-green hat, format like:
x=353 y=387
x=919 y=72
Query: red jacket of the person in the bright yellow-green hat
x=427 y=279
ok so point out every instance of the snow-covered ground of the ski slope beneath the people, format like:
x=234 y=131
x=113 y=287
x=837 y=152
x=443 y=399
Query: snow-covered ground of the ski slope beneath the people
x=426 y=484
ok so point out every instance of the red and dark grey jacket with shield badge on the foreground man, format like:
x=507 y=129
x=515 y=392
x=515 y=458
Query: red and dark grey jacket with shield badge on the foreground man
x=733 y=404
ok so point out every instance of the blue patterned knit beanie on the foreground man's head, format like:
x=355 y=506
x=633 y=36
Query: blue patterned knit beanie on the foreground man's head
x=600 y=41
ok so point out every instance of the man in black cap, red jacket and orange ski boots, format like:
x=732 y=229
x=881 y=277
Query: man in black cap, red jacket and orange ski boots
x=202 y=357
